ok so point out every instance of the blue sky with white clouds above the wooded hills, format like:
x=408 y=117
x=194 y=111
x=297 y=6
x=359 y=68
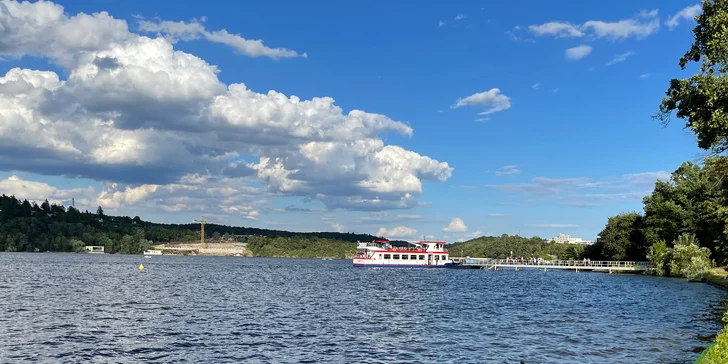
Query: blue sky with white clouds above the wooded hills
x=442 y=121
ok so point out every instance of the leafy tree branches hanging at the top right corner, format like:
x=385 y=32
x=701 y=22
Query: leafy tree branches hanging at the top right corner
x=702 y=100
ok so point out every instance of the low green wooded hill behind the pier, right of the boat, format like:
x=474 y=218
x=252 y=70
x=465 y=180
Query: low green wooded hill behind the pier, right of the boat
x=501 y=247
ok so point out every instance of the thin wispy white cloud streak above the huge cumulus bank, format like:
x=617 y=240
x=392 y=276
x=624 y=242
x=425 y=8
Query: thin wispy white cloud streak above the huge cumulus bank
x=176 y=31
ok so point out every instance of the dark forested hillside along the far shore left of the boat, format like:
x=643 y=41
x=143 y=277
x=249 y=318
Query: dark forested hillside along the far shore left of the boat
x=27 y=227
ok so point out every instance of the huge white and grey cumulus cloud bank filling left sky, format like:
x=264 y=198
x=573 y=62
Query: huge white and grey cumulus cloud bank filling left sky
x=136 y=112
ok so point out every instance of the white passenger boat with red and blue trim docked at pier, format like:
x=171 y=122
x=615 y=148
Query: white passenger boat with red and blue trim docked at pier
x=382 y=254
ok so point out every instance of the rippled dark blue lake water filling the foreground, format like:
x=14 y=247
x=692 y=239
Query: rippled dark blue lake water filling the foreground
x=60 y=308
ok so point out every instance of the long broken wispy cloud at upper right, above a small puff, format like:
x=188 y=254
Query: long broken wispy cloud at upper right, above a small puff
x=640 y=26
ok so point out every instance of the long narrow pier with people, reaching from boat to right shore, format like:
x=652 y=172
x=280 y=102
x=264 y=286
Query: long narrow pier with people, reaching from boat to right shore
x=577 y=265
